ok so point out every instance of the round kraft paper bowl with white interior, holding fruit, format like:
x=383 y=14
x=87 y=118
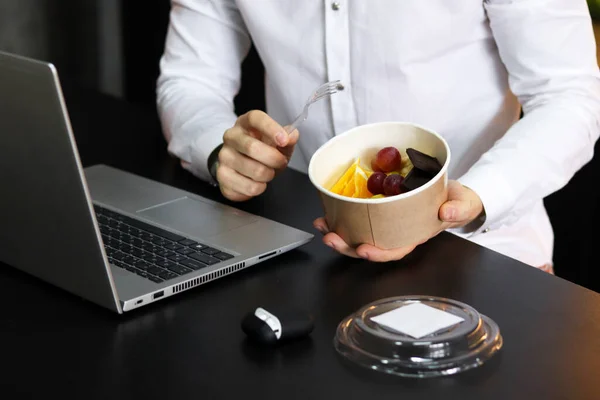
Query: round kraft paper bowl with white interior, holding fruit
x=388 y=222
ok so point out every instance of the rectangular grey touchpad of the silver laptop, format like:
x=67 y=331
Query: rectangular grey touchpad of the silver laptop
x=196 y=218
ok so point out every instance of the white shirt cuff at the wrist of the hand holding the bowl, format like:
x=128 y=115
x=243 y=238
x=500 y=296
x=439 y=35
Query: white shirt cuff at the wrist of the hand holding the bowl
x=495 y=193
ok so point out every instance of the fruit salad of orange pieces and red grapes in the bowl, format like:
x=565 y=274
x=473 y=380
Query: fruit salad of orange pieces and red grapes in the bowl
x=389 y=174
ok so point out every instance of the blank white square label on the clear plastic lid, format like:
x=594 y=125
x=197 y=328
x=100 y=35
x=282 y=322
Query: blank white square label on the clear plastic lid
x=417 y=320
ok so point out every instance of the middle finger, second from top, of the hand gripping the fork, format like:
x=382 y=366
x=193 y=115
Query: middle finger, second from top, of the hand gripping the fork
x=242 y=142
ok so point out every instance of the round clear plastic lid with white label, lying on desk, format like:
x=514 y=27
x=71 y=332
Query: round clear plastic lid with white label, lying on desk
x=418 y=336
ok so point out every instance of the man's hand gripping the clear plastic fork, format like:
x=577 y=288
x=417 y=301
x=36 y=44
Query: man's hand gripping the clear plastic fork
x=254 y=150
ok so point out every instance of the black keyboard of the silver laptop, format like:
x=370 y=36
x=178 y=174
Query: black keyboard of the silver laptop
x=151 y=252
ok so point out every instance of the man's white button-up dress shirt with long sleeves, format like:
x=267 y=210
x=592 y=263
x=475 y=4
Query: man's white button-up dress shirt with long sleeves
x=463 y=68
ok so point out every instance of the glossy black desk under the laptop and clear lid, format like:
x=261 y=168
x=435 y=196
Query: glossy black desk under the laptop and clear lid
x=191 y=345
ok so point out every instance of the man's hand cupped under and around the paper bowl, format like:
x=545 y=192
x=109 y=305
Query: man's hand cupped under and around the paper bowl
x=461 y=208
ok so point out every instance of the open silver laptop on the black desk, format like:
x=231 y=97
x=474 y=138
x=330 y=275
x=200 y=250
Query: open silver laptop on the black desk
x=111 y=237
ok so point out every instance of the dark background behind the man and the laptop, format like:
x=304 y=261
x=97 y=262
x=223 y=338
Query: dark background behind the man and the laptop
x=113 y=46
